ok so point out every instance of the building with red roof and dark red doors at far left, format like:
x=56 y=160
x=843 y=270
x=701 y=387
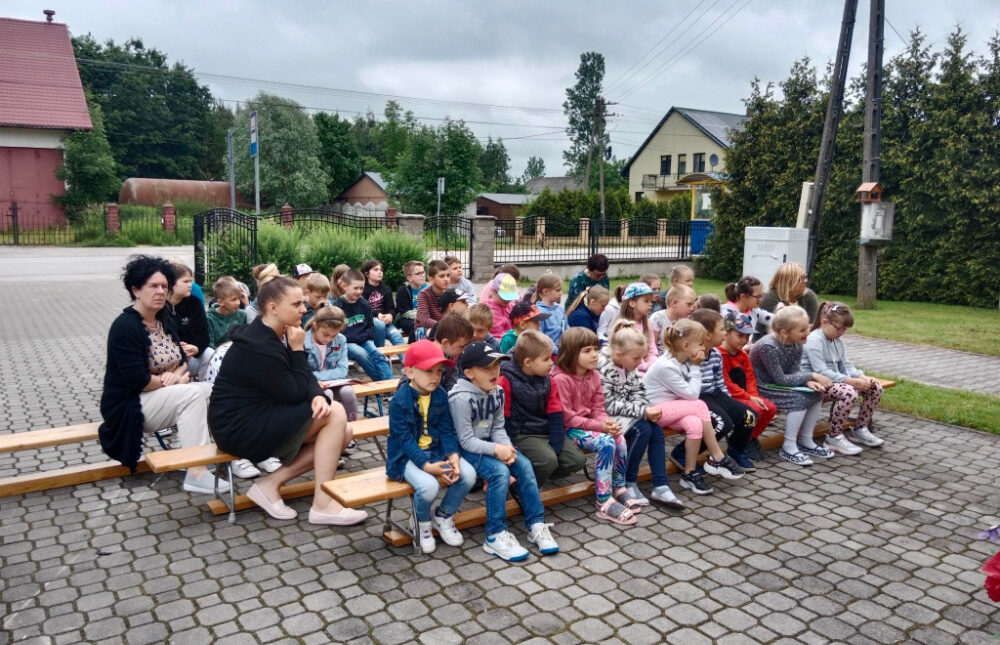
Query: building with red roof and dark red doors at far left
x=41 y=101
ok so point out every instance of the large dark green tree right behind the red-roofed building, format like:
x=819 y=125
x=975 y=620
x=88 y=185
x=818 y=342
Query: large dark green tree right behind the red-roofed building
x=159 y=120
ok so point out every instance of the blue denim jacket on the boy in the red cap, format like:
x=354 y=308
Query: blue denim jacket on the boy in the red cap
x=406 y=425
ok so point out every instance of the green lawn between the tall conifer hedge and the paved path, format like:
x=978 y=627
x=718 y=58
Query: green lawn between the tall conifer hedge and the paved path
x=964 y=328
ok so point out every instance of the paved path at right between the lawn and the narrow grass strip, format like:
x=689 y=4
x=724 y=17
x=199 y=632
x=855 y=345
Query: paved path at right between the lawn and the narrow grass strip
x=929 y=365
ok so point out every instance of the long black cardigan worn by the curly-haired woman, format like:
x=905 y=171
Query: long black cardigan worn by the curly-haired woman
x=125 y=376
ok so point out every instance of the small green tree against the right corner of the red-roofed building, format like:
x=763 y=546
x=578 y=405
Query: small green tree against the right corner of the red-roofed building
x=88 y=166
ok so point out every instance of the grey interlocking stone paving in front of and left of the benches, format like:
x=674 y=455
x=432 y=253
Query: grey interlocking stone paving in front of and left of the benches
x=880 y=548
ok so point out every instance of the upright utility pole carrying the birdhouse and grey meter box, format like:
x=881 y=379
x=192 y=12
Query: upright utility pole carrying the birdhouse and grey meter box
x=867 y=253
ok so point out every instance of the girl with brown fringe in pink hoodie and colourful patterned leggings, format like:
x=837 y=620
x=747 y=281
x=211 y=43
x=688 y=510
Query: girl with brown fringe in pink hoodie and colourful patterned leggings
x=589 y=426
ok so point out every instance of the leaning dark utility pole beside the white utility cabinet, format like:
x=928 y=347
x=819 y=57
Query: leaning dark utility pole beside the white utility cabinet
x=830 y=126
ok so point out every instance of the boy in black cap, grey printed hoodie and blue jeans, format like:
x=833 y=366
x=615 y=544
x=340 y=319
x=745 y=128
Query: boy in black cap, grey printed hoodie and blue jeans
x=476 y=404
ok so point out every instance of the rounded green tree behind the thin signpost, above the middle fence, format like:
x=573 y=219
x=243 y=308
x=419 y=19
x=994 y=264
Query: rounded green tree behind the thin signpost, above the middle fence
x=450 y=151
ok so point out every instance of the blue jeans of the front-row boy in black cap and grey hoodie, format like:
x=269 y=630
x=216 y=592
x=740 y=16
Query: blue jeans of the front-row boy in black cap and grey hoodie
x=497 y=475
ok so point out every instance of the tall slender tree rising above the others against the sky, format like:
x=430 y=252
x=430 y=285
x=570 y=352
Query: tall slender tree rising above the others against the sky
x=581 y=101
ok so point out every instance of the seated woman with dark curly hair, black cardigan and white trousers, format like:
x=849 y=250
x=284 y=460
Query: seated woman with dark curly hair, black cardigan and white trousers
x=146 y=383
